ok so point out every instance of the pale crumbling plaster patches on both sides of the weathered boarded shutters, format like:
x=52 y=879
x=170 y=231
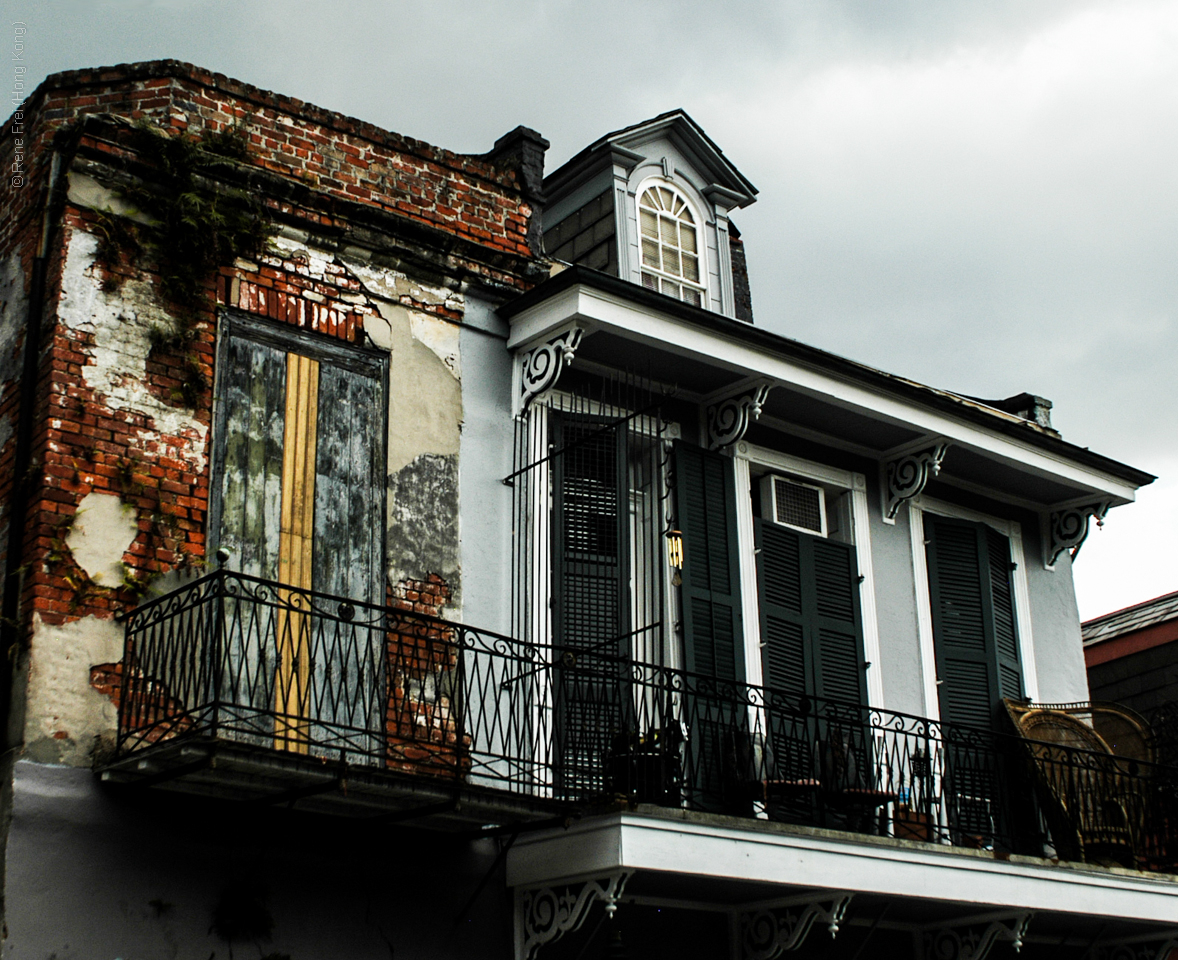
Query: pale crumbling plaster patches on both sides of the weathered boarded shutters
x=67 y=719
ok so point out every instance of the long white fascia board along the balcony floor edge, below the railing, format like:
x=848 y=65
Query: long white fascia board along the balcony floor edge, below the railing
x=798 y=858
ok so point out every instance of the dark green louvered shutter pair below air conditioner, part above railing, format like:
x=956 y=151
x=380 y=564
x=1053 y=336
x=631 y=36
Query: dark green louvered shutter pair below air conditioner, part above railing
x=811 y=624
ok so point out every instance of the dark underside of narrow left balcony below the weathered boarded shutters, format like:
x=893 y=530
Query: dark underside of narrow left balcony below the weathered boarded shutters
x=264 y=777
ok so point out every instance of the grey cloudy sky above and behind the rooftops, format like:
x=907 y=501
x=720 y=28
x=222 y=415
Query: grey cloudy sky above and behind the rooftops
x=983 y=197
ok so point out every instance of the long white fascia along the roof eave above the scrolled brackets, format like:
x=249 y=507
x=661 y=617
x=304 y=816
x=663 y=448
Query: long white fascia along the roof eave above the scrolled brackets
x=679 y=336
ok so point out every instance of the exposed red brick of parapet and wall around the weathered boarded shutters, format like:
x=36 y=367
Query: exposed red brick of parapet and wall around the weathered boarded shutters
x=332 y=167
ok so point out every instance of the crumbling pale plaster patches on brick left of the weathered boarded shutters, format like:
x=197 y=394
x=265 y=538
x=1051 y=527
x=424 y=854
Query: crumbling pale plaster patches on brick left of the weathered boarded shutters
x=65 y=719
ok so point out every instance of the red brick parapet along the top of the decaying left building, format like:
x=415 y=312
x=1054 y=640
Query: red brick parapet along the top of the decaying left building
x=484 y=202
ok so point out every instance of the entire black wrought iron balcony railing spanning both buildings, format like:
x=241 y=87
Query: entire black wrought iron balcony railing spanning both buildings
x=233 y=658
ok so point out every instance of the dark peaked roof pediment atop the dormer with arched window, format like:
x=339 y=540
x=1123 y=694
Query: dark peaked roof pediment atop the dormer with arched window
x=631 y=145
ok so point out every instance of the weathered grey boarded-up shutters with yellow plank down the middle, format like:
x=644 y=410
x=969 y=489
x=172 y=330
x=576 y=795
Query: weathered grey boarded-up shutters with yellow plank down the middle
x=299 y=499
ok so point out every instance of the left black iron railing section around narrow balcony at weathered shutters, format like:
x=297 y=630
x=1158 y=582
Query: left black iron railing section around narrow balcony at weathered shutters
x=246 y=660
